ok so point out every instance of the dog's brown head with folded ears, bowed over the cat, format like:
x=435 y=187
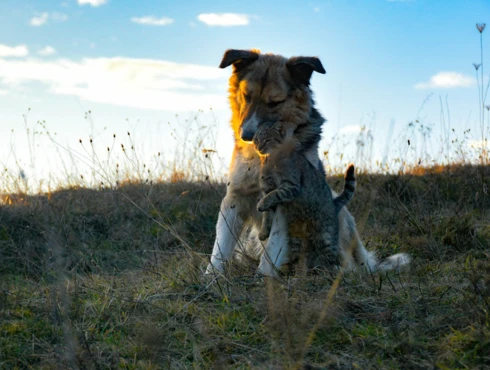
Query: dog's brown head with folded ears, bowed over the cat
x=268 y=88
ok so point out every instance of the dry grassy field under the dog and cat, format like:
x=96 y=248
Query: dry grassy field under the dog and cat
x=112 y=278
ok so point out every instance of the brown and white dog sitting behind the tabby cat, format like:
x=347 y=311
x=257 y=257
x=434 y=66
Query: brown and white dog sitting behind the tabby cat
x=271 y=88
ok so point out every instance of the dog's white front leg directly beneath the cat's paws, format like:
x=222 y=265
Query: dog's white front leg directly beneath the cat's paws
x=276 y=251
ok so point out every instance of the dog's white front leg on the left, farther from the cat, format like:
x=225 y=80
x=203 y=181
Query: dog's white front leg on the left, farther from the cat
x=228 y=230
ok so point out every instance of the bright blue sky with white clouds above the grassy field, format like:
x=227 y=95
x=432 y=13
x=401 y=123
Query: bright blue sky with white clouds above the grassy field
x=151 y=68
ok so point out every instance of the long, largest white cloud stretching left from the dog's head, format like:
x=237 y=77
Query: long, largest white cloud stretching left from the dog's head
x=141 y=83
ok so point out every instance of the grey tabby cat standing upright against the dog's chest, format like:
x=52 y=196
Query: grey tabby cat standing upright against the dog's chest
x=290 y=181
